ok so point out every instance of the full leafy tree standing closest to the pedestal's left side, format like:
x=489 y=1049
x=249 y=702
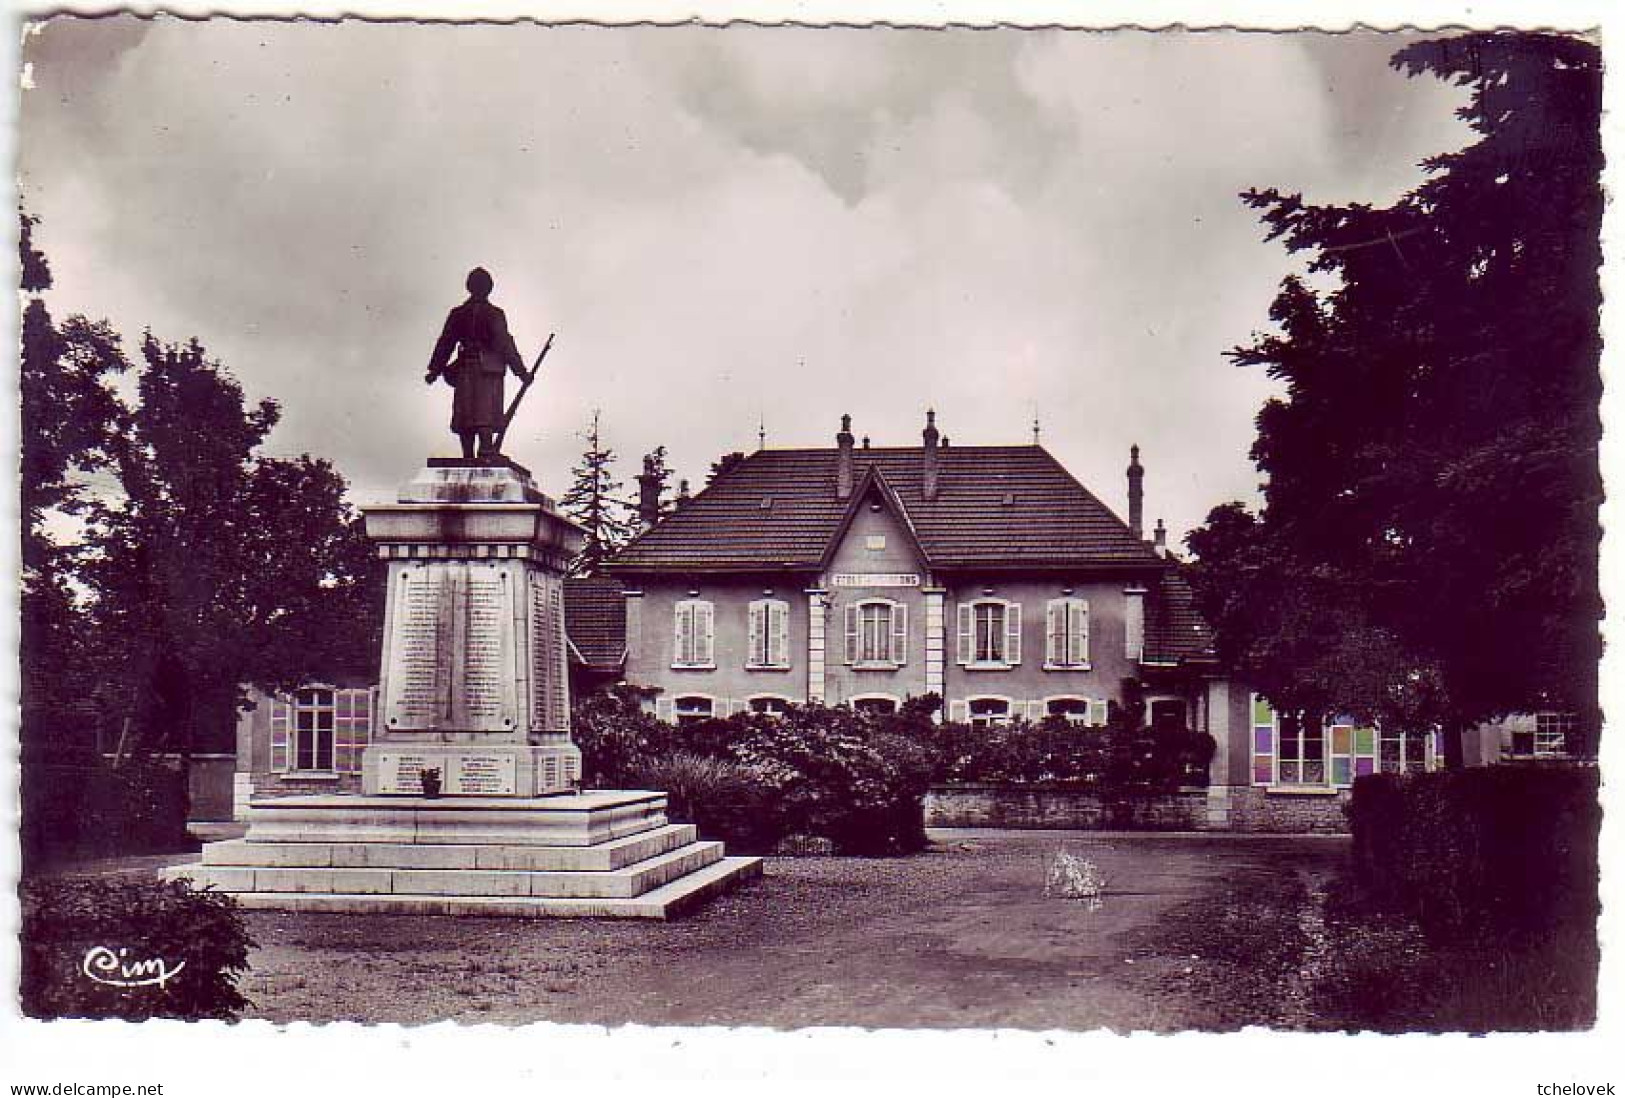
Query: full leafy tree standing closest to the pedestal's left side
x=214 y=568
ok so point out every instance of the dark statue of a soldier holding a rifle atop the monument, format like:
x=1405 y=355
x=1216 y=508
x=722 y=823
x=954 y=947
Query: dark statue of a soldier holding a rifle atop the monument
x=477 y=334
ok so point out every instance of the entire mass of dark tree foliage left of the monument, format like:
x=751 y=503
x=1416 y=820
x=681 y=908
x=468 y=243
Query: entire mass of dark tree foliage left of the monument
x=202 y=564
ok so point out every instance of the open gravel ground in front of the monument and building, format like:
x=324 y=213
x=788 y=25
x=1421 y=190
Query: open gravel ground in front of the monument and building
x=960 y=936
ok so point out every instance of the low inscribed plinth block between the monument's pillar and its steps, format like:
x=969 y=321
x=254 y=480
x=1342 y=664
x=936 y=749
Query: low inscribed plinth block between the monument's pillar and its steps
x=496 y=771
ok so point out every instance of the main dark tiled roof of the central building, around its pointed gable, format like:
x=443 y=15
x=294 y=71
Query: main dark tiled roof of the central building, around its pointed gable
x=997 y=508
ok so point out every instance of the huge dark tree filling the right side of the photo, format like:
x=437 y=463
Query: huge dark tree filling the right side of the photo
x=1428 y=550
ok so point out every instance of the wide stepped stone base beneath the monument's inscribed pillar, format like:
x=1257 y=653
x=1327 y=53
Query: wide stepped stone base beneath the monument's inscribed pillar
x=602 y=854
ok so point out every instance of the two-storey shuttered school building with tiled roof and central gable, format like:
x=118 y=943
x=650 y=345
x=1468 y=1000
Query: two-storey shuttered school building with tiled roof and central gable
x=865 y=576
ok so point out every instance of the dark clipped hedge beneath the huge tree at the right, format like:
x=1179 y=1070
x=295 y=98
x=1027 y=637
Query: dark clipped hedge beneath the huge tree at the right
x=1496 y=850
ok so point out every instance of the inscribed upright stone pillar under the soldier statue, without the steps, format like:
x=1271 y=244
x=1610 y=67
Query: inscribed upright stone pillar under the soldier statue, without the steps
x=475 y=670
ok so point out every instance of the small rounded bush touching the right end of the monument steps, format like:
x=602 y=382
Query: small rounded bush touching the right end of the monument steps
x=724 y=800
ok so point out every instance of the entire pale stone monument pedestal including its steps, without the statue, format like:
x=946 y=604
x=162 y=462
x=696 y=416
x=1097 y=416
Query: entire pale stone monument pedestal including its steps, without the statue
x=474 y=686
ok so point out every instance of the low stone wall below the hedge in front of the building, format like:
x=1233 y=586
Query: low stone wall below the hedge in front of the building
x=1234 y=810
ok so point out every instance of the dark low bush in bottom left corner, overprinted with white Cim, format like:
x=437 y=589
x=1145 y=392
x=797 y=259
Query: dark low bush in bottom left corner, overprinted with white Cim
x=106 y=925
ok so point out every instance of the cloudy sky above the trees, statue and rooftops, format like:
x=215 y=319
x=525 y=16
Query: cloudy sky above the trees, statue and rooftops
x=724 y=227
